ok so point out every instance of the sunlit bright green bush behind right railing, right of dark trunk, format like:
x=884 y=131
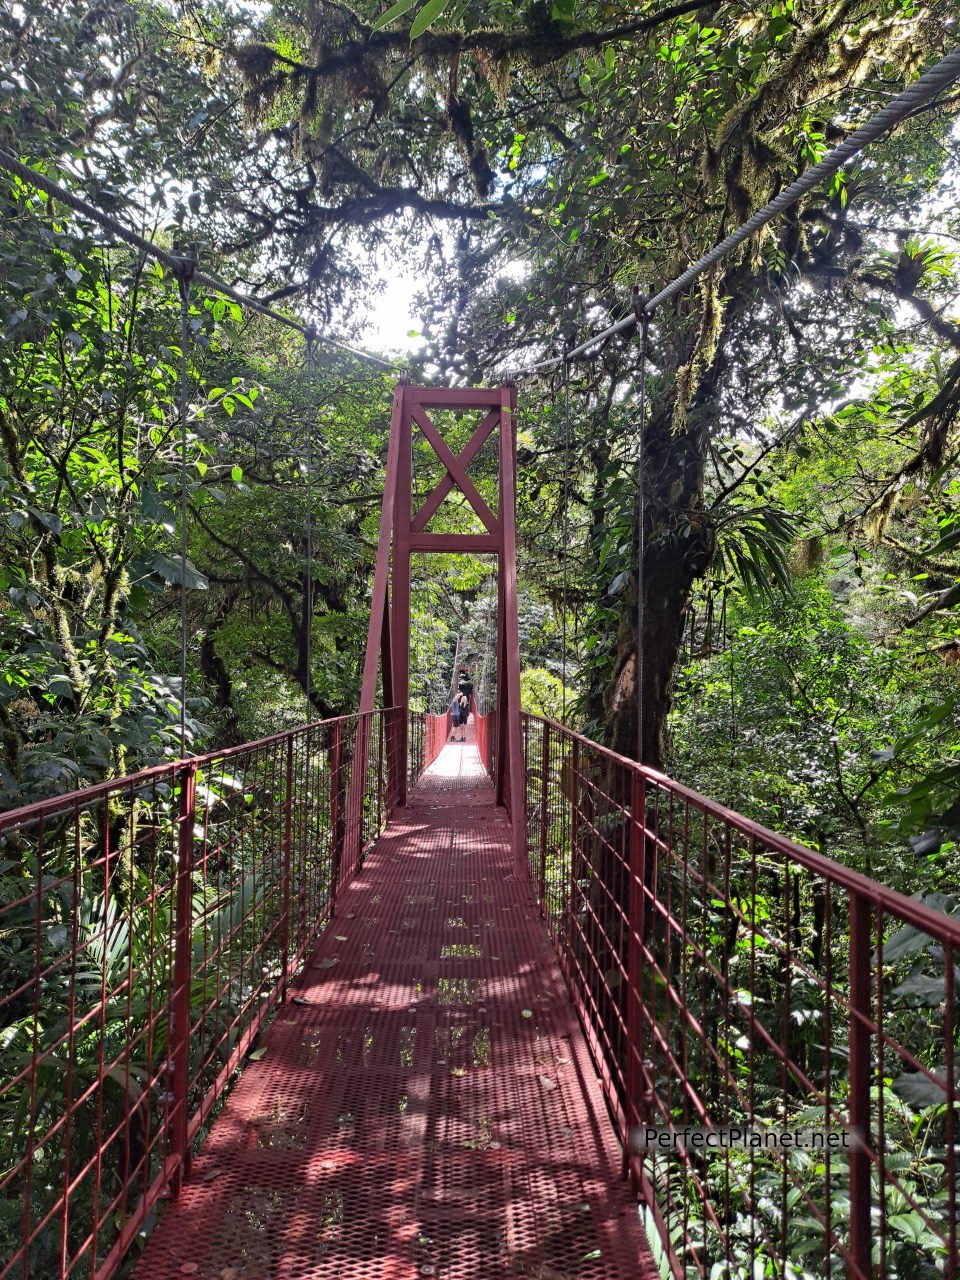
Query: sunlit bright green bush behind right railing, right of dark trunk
x=789 y=724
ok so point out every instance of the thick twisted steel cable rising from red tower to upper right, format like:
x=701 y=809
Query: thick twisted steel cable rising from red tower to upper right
x=912 y=100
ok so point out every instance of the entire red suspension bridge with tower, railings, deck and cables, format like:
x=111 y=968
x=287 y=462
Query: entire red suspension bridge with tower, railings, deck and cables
x=470 y=986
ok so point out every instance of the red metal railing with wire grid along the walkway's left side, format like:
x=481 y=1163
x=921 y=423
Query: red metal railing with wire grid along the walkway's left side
x=148 y=929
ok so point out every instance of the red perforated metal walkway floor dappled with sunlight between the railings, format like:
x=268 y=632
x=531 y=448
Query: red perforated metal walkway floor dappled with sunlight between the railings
x=432 y=1110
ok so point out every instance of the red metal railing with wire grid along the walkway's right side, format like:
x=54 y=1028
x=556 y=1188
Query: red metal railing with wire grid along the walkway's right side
x=730 y=980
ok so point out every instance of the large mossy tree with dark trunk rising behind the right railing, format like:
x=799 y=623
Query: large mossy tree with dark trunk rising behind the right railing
x=616 y=147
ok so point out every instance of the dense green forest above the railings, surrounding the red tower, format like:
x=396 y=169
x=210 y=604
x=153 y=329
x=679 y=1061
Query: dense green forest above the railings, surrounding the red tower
x=532 y=166
